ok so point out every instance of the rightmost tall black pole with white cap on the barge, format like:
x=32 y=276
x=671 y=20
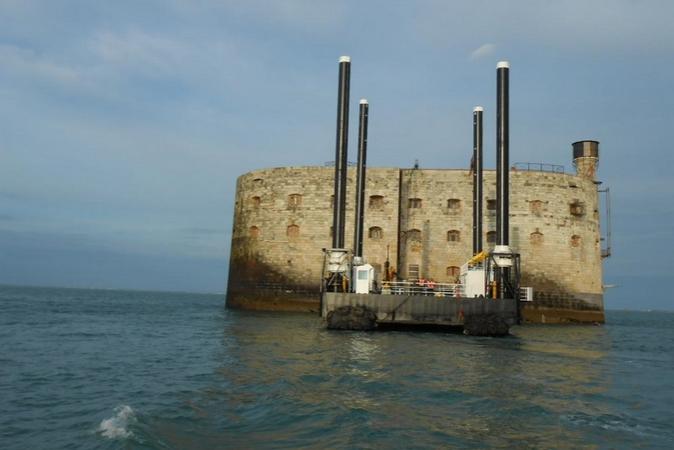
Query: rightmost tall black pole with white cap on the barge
x=502 y=166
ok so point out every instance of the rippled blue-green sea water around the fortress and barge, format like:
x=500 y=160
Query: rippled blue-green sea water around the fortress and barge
x=101 y=369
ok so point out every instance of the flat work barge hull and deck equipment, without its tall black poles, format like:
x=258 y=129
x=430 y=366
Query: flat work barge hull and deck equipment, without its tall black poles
x=423 y=303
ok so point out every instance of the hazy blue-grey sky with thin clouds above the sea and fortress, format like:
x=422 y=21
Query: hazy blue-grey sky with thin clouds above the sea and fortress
x=124 y=124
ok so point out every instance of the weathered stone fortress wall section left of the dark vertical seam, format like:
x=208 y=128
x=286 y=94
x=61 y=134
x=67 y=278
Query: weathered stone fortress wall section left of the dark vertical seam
x=283 y=220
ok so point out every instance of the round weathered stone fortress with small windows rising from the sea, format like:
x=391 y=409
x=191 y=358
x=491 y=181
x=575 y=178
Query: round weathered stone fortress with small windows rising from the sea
x=420 y=221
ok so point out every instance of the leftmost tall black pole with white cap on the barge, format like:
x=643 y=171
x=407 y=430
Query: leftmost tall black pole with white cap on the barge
x=339 y=210
